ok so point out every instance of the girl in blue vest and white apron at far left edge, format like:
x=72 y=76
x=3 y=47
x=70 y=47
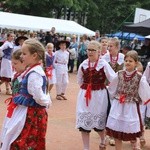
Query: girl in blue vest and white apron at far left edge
x=6 y=66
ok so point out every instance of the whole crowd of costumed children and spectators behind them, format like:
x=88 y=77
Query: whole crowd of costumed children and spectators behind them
x=114 y=88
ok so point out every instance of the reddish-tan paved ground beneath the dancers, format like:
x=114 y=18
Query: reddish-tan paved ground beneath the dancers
x=61 y=134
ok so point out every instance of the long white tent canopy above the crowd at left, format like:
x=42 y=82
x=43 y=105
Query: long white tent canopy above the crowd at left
x=26 y=22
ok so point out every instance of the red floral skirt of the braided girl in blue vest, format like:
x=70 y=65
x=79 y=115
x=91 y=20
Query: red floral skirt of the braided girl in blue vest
x=32 y=137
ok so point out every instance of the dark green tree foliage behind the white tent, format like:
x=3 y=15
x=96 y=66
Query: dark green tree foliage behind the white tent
x=105 y=15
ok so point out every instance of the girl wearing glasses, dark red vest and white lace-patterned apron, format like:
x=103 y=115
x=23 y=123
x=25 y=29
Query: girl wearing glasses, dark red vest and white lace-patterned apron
x=92 y=102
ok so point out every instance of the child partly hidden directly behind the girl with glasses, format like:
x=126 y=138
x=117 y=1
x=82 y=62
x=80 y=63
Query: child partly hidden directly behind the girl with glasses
x=104 y=45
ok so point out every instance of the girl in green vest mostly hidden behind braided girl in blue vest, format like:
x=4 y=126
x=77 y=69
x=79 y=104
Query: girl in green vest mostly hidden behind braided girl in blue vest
x=19 y=68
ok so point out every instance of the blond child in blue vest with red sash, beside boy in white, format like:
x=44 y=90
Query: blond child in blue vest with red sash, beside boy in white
x=50 y=70
